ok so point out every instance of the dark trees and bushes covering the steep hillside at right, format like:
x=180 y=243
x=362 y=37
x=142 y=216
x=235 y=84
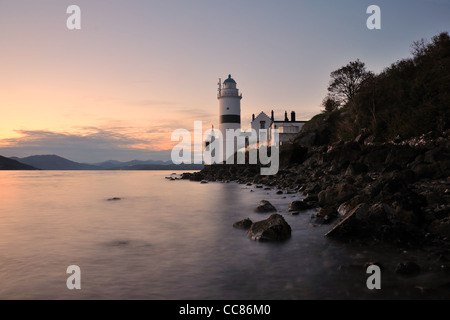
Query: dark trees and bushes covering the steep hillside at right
x=409 y=98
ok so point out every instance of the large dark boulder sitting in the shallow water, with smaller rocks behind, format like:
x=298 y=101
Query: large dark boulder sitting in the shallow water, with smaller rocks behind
x=274 y=228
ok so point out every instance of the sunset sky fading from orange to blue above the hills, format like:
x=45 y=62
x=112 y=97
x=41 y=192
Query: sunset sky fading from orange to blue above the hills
x=137 y=70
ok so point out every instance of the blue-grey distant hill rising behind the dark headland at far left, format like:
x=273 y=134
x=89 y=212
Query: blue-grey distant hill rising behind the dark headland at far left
x=54 y=162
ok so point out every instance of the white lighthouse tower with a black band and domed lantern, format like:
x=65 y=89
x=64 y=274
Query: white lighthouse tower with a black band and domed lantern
x=229 y=110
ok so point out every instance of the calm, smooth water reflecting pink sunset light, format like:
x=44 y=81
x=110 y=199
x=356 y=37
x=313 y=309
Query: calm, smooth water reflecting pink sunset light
x=174 y=240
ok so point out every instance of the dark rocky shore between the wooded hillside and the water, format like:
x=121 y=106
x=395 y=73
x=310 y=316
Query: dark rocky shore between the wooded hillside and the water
x=394 y=192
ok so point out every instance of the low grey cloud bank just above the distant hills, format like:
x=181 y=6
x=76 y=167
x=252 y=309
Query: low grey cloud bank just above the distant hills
x=90 y=144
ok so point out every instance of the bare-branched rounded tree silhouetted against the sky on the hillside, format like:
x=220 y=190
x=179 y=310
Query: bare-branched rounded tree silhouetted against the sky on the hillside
x=347 y=81
